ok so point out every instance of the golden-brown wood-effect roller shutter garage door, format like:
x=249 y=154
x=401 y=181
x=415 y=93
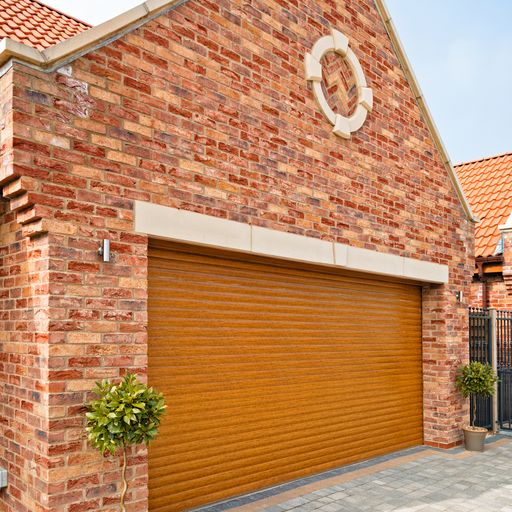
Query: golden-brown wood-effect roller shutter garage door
x=274 y=372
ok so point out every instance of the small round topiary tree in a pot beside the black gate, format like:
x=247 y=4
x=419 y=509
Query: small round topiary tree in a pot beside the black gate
x=473 y=380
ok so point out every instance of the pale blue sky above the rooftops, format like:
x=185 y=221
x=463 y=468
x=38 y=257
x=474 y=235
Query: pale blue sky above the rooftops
x=460 y=51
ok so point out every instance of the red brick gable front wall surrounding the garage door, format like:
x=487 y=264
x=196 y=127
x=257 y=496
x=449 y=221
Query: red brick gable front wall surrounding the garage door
x=206 y=108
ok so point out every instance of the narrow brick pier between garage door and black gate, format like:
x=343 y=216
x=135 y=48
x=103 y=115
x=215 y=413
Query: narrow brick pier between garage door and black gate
x=445 y=348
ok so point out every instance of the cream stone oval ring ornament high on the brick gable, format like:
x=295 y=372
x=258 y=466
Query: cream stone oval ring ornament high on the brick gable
x=338 y=43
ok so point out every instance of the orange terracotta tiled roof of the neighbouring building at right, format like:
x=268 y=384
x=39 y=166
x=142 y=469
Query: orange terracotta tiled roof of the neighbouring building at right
x=487 y=184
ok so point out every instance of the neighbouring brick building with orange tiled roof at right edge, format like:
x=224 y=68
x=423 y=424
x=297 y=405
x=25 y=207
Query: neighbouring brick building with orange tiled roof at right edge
x=488 y=184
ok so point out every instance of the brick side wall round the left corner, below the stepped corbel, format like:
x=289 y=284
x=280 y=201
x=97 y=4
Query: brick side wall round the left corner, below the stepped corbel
x=24 y=341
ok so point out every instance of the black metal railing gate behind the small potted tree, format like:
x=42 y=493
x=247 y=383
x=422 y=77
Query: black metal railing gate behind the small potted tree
x=484 y=326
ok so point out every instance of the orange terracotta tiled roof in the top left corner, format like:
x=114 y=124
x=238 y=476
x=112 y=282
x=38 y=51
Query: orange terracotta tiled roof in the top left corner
x=36 y=24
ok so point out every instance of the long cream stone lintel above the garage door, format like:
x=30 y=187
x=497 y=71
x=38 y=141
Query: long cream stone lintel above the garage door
x=184 y=226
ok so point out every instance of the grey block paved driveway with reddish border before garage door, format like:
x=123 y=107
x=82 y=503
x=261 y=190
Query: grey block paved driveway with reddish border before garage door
x=417 y=480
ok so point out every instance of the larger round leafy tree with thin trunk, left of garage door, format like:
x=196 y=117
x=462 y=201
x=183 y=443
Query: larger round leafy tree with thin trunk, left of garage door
x=127 y=413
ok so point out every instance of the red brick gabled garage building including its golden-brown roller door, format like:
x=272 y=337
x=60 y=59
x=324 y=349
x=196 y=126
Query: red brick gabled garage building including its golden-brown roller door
x=289 y=286
